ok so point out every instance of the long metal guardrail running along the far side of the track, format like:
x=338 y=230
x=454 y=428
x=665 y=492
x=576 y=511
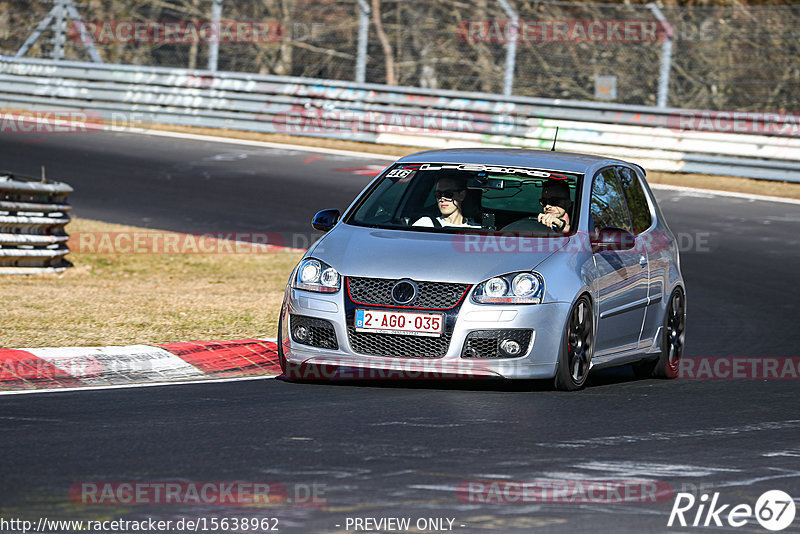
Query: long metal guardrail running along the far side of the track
x=766 y=147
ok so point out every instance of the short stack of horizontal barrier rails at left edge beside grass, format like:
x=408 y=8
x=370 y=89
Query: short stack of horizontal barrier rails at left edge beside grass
x=33 y=214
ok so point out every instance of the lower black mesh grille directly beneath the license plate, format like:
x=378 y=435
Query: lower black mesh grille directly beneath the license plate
x=398 y=345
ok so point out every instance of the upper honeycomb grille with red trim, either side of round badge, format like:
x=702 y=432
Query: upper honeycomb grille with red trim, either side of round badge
x=431 y=295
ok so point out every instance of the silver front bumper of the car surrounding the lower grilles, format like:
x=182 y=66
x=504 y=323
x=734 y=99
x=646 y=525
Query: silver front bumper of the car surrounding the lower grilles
x=538 y=360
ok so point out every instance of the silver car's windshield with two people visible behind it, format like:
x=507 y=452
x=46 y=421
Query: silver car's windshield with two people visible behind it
x=437 y=197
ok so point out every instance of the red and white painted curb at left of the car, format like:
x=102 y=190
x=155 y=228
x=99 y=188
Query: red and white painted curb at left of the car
x=82 y=367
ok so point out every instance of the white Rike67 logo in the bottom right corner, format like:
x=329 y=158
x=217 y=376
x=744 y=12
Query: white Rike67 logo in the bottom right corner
x=774 y=510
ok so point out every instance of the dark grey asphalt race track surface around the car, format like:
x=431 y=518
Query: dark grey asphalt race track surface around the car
x=389 y=449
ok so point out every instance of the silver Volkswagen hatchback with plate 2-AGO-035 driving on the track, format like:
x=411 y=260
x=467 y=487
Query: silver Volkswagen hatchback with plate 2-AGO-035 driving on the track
x=521 y=264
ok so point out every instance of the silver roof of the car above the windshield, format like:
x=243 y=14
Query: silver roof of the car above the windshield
x=514 y=157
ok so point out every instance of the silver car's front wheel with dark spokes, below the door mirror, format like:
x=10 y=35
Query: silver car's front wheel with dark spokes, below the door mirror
x=577 y=347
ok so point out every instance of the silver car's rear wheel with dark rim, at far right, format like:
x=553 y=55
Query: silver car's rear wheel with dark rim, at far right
x=673 y=334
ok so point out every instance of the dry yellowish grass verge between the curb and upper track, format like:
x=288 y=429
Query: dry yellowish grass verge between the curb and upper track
x=123 y=299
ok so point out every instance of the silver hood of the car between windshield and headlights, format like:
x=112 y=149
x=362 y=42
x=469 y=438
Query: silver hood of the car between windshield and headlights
x=370 y=252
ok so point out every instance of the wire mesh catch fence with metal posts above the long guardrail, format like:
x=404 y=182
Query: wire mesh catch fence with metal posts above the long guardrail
x=721 y=57
